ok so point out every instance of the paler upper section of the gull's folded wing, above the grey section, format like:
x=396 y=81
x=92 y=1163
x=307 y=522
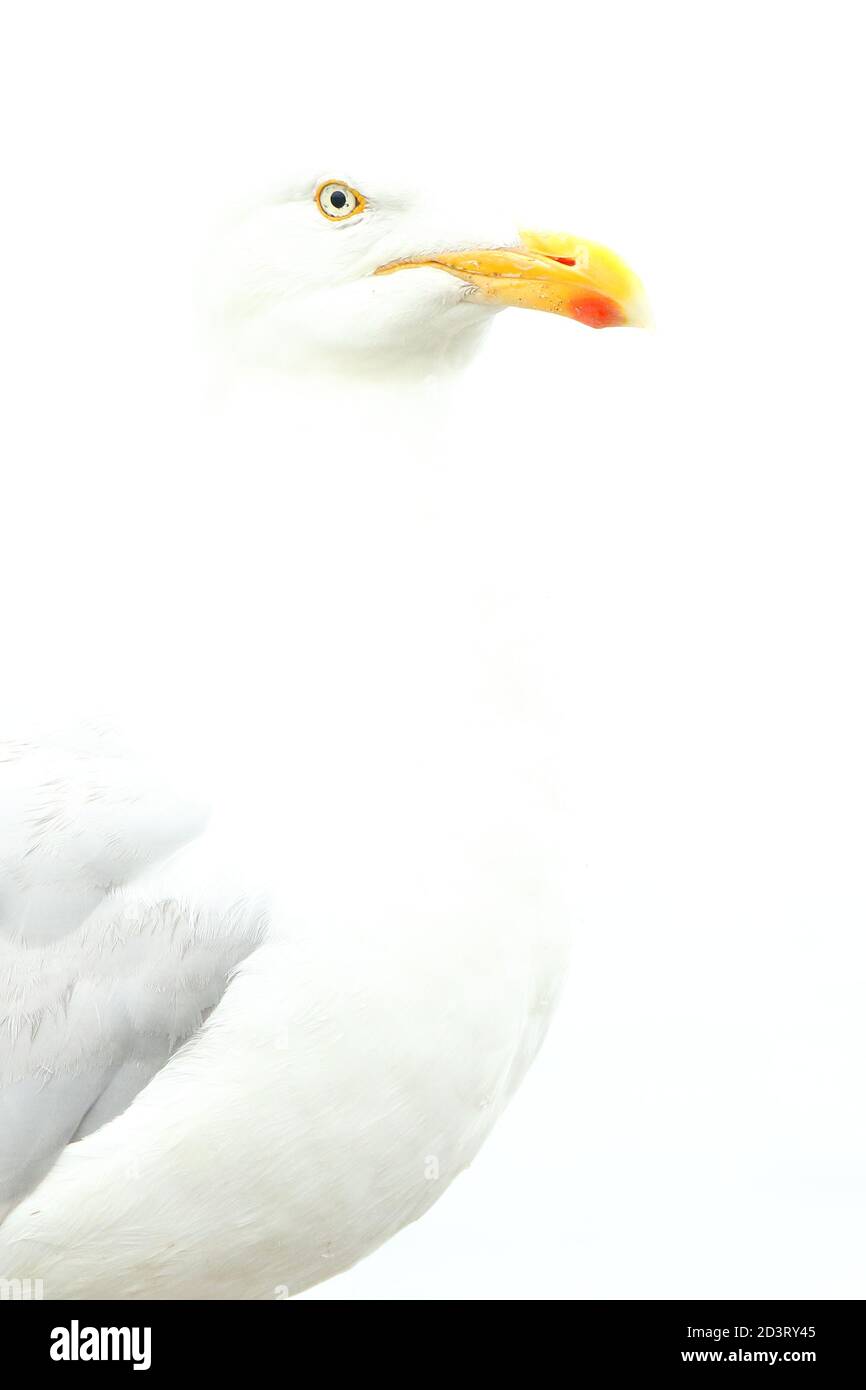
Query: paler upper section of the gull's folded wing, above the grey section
x=80 y=815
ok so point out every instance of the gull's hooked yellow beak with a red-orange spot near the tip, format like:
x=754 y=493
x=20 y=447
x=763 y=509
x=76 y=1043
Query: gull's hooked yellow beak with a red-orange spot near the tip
x=551 y=272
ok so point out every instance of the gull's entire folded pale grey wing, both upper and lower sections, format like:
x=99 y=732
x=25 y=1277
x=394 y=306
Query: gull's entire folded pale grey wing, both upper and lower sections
x=104 y=976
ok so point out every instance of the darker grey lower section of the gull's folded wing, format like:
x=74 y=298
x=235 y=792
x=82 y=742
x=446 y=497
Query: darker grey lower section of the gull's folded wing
x=90 y=1020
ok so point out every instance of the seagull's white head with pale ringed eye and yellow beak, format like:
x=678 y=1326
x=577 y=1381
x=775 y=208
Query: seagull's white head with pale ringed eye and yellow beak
x=350 y=273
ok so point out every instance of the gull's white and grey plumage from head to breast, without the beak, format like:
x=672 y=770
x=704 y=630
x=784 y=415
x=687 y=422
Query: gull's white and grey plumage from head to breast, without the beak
x=238 y=1058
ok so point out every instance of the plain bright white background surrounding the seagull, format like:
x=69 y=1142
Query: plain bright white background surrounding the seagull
x=694 y=1127
